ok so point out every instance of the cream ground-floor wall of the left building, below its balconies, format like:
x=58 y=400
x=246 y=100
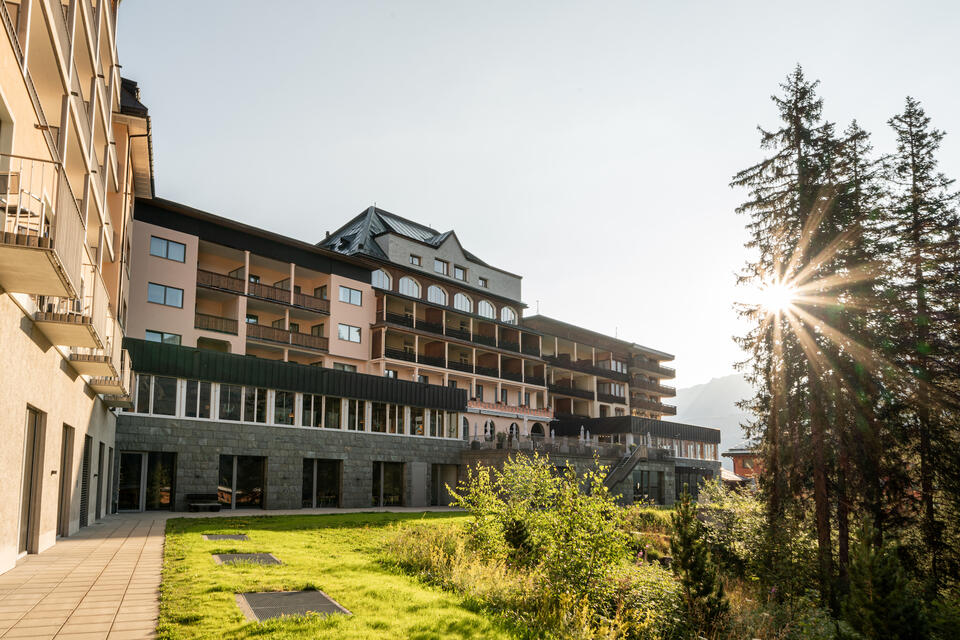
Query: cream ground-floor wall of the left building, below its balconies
x=36 y=375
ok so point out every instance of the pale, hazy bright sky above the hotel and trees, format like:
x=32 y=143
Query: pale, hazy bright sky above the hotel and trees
x=587 y=146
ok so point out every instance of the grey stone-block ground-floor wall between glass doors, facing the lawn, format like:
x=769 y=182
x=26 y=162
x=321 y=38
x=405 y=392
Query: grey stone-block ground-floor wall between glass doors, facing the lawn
x=199 y=444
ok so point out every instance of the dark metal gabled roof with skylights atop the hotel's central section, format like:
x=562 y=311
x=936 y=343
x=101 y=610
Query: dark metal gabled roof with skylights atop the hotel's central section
x=359 y=235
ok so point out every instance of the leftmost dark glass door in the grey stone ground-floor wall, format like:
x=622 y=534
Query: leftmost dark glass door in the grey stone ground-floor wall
x=146 y=481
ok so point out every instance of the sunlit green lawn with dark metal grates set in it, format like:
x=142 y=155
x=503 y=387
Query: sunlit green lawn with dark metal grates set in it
x=338 y=554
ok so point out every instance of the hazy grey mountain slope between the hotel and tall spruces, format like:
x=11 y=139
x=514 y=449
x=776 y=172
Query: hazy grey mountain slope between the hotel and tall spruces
x=714 y=405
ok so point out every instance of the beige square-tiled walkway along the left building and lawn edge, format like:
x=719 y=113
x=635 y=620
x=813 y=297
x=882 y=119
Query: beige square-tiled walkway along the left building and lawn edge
x=103 y=583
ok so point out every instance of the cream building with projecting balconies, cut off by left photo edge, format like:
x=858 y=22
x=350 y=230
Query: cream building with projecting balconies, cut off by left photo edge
x=74 y=152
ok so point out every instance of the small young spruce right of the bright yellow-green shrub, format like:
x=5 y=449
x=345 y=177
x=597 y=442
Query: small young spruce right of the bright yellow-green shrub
x=700 y=582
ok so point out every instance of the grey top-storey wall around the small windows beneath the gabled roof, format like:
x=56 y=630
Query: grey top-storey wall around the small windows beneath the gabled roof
x=398 y=250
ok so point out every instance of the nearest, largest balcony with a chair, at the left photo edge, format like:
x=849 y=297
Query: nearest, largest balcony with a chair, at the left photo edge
x=41 y=242
